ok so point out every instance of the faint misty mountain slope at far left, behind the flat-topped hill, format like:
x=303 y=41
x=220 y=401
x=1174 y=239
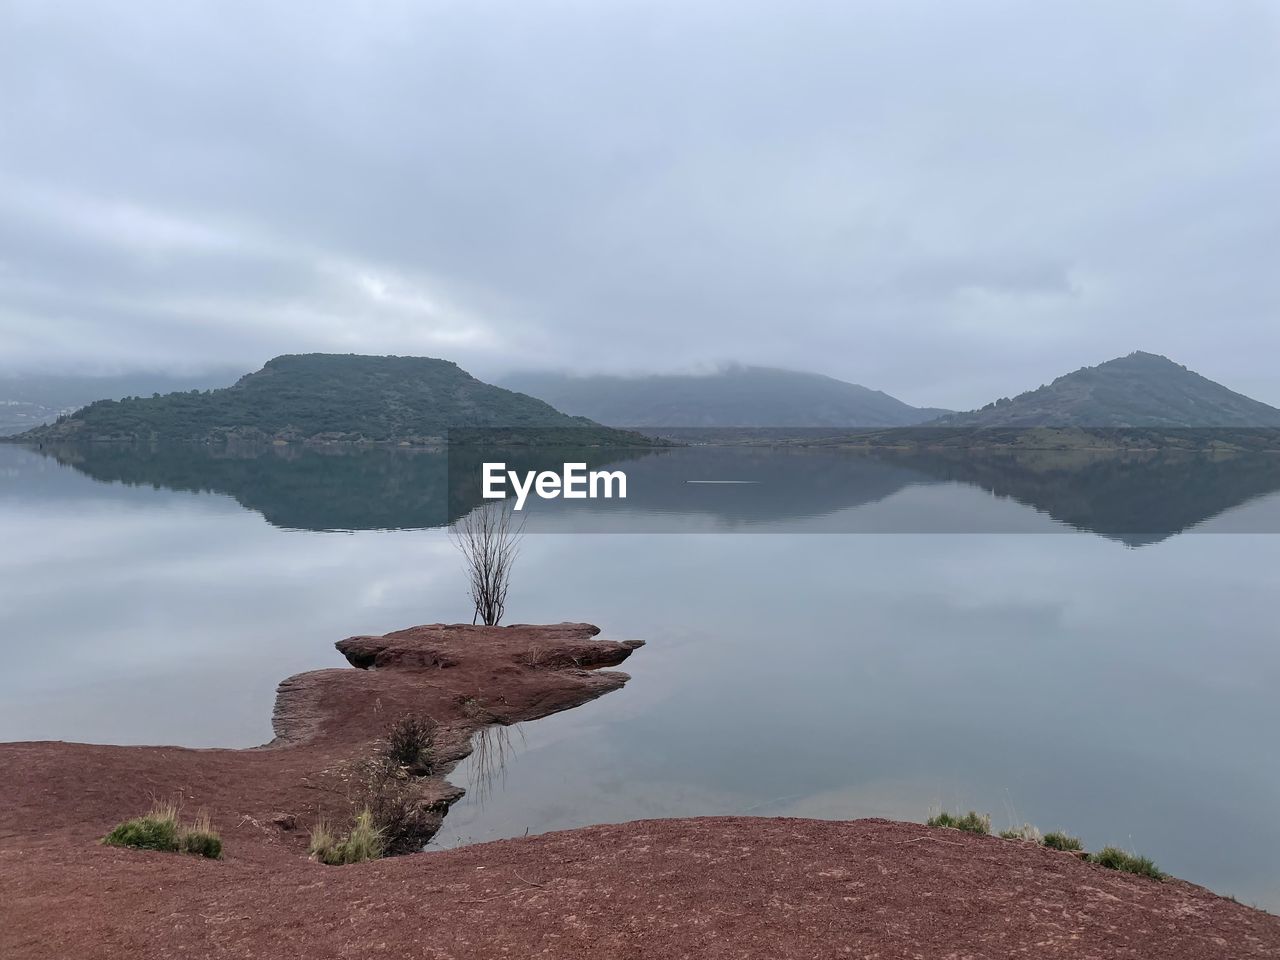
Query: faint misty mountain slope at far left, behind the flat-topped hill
x=31 y=400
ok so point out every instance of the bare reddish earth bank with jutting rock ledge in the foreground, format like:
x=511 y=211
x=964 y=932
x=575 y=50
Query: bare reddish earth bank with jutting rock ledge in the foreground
x=714 y=888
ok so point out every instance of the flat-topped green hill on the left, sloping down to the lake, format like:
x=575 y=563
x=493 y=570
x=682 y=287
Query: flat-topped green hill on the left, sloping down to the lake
x=327 y=397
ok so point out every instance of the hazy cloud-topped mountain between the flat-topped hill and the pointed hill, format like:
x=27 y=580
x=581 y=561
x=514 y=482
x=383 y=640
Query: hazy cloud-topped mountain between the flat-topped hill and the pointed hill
x=739 y=396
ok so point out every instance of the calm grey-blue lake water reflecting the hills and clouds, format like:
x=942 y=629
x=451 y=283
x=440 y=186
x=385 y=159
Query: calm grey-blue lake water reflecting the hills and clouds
x=1054 y=662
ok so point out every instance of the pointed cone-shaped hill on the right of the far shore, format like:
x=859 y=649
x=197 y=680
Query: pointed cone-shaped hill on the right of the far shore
x=1141 y=390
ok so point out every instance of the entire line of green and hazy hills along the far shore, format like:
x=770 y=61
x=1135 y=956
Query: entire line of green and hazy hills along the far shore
x=328 y=397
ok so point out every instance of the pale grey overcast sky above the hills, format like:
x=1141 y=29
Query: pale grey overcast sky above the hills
x=950 y=202
